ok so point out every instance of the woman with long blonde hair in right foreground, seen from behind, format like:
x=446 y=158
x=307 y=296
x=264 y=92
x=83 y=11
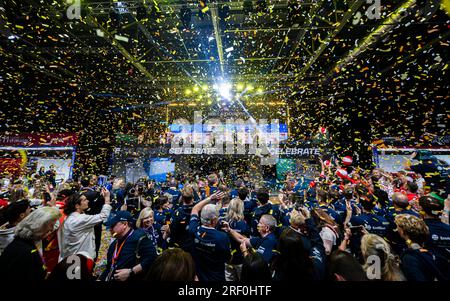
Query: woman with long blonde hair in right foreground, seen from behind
x=374 y=245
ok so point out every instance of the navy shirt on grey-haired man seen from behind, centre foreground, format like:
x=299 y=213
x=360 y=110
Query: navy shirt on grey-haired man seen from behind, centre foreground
x=211 y=250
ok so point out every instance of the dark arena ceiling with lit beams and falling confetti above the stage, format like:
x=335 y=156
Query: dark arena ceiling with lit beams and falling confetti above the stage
x=136 y=55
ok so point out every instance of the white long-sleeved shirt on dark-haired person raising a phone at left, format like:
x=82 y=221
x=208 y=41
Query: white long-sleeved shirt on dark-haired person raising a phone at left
x=77 y=233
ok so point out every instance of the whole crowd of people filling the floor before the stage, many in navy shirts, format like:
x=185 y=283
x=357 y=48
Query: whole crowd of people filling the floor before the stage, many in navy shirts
x=346 y=224
